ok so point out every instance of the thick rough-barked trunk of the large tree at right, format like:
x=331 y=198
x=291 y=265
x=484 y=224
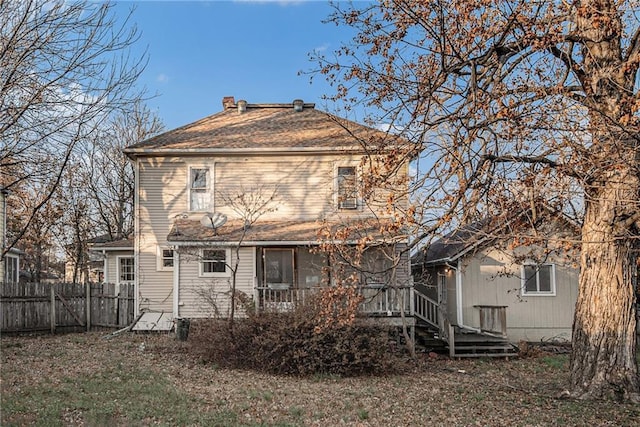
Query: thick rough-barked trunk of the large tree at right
x=604 y=331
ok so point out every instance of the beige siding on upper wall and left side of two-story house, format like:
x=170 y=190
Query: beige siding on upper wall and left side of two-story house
x=303 y=187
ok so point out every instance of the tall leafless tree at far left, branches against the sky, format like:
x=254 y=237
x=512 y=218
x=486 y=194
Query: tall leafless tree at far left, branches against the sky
x=65 y=68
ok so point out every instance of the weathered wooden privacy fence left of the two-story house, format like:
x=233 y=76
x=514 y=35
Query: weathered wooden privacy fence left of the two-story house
x=30 y=307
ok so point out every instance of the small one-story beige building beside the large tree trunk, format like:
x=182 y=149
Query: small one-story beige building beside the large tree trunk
x=485 y=279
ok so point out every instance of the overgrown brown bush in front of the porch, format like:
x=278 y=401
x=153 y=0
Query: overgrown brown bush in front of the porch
x=292 y=343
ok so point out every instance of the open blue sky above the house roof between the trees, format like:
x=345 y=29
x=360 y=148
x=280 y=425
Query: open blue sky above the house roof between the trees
x=201 y=51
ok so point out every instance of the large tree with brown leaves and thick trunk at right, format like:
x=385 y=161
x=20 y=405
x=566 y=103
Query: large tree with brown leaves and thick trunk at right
x=512 y=102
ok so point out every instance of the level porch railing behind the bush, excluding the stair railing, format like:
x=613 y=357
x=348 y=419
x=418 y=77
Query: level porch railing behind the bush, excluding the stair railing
x=377 y=300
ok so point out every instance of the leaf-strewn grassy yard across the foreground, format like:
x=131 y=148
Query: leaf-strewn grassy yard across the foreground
x=151 y=379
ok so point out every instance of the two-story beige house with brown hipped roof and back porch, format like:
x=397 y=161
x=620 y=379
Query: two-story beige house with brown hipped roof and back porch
x=256 y=181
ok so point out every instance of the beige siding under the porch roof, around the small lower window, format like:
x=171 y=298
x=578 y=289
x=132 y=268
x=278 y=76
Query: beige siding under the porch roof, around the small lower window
x=209 y=296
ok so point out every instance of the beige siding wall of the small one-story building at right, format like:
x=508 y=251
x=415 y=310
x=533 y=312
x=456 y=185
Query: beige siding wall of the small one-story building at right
x=491 y=278
